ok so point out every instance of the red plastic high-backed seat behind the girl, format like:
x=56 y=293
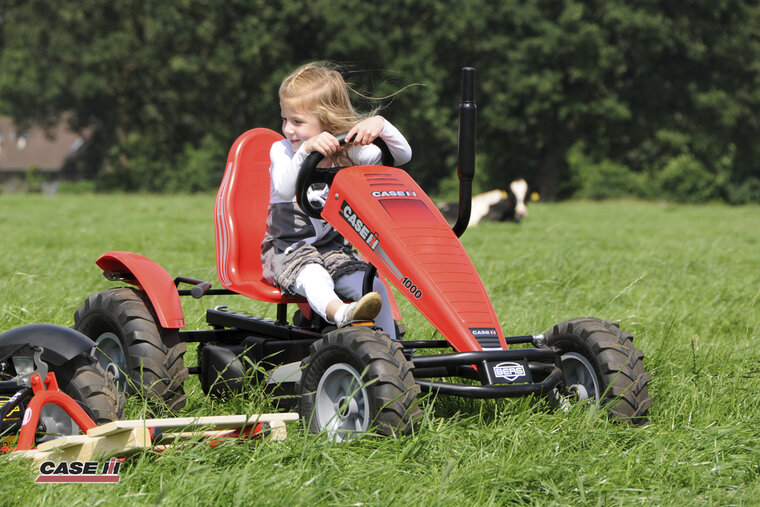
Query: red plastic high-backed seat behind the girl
x=240 y=216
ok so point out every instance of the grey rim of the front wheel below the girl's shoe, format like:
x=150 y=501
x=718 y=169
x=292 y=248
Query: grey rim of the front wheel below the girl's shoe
x=341 y=403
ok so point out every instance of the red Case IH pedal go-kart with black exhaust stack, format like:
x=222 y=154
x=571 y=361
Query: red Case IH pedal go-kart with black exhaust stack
x=351 y=379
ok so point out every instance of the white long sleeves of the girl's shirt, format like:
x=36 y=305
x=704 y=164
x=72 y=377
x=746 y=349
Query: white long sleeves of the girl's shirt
x=285 y=166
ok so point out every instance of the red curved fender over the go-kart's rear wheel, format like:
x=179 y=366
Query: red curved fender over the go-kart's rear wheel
x=153 y=279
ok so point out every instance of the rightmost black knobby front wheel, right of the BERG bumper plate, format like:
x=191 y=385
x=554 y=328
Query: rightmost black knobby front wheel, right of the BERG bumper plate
x=601 y=364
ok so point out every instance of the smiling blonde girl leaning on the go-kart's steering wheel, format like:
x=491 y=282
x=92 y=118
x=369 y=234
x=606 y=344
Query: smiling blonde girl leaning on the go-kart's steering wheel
x=303 y=255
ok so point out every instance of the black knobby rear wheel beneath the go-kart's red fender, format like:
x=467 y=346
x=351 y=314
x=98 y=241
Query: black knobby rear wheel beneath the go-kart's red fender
x=132 y=345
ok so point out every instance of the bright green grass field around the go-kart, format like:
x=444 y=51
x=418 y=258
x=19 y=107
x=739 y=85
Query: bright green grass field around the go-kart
x=684 y=280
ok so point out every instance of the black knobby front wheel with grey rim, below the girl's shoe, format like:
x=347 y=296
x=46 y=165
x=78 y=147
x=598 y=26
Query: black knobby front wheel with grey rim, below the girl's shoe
x=356 y=379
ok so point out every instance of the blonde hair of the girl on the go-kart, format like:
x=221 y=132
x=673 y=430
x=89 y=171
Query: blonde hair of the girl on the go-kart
x=319 y=89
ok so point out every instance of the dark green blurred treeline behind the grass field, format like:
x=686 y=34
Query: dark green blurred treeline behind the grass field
x=605 y=98
